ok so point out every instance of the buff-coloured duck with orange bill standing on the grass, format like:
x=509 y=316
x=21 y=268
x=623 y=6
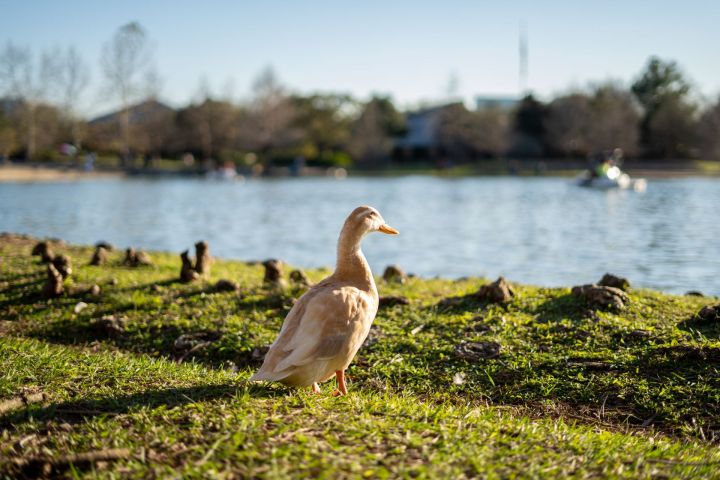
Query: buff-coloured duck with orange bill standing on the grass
x=327 y=325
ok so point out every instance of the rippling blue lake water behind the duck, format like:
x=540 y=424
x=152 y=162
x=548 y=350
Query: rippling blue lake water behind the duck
x=542 y=231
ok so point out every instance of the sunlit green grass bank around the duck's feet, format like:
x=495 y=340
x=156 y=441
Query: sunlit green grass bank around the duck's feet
x=575 y=392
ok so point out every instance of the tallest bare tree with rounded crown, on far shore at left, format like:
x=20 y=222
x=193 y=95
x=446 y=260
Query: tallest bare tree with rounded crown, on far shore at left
x=125 y=61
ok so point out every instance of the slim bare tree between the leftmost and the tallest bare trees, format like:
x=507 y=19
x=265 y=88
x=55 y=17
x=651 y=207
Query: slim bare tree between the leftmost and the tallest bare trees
x=73 y=79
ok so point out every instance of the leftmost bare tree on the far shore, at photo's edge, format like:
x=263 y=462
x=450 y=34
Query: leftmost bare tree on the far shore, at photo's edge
x=30 y=83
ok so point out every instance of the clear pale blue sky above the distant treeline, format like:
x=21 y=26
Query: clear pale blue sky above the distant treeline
x=409 y=50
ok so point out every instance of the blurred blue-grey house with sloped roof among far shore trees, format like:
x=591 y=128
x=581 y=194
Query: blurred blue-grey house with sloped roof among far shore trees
x=422 y=140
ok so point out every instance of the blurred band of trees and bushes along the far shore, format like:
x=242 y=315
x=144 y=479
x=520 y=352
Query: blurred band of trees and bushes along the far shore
x=658 y=117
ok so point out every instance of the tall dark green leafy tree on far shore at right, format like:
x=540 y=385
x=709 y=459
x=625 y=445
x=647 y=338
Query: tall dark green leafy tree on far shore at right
x=663 y=89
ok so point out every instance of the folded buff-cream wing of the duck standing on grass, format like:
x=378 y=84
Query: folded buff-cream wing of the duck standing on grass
x=317 y=328
